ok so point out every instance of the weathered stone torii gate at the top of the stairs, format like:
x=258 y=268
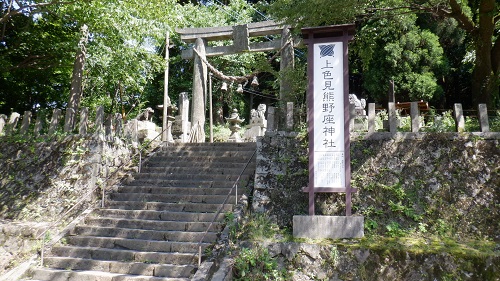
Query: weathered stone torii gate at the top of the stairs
x=240 y=35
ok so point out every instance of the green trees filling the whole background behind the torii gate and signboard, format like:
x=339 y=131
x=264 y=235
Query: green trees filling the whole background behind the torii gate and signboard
x=443 y=51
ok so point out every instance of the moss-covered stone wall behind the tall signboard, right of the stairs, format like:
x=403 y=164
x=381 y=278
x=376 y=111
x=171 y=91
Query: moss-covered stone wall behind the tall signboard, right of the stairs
x=441 y=182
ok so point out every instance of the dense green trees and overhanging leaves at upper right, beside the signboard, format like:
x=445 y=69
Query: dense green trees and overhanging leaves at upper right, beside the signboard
x=390 y=44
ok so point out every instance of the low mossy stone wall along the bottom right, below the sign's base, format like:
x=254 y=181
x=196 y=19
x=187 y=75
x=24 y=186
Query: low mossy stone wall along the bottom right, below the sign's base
x=308 y=262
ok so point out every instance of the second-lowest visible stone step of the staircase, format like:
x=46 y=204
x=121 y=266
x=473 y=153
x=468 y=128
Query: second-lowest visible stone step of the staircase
x=129 y=268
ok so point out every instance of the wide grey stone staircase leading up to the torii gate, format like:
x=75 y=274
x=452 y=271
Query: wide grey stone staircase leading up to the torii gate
x=151 y=226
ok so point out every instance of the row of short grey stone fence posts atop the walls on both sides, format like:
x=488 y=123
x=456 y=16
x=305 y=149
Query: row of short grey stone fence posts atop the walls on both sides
x=288 y=118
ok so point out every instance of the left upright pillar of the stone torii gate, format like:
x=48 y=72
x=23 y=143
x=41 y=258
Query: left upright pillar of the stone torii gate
x=200 y=75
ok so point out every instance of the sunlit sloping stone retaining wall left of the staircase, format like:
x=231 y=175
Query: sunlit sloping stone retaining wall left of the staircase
x=41 y=181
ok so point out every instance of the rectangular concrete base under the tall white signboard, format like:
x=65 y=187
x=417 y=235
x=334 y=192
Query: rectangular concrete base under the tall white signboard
x=334 y=227
